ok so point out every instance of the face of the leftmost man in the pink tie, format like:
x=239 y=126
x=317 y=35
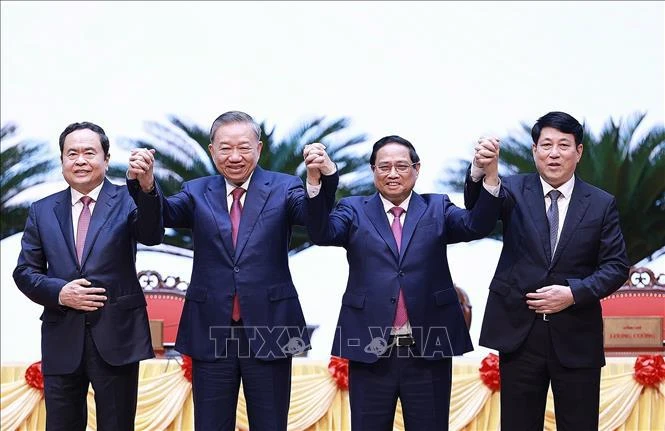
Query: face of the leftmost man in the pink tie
x=83 y=161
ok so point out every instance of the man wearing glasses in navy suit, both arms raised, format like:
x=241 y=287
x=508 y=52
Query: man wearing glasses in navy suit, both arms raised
x=400 y=321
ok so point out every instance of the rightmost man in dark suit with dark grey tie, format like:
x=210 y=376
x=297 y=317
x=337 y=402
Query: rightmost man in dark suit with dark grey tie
x=563 y=252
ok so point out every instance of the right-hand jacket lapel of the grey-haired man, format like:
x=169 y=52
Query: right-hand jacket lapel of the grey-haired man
x=257 y=196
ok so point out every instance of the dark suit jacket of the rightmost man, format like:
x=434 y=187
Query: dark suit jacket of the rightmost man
x=590 y=258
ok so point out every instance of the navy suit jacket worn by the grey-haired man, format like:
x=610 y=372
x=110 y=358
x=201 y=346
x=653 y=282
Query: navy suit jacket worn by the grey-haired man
x=257 y=269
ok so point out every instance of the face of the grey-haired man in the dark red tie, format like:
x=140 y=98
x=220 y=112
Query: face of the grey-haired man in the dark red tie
x=235 y=149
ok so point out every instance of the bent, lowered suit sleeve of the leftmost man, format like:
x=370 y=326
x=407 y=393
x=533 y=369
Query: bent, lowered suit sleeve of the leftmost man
x=30 y=273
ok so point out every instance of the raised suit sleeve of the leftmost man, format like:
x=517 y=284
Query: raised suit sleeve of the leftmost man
x=146 y=219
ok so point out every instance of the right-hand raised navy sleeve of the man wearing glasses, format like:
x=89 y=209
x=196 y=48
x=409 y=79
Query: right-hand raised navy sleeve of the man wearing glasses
x=468 y=225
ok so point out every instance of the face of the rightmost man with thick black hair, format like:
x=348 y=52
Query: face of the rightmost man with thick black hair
x=556 y=156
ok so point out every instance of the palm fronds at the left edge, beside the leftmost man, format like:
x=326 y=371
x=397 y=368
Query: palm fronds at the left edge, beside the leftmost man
x=24 y=164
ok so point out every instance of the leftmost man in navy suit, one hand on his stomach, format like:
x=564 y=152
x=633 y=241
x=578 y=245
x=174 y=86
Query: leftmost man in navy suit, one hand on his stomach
x=77 y=259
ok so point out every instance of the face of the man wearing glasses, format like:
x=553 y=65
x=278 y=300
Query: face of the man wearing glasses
x=394 y=175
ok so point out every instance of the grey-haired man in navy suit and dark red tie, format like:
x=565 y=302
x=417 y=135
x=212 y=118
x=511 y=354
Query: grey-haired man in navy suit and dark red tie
x=242 y=319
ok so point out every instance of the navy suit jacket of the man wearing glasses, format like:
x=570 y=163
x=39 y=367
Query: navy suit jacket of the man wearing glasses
x=377 y=270
